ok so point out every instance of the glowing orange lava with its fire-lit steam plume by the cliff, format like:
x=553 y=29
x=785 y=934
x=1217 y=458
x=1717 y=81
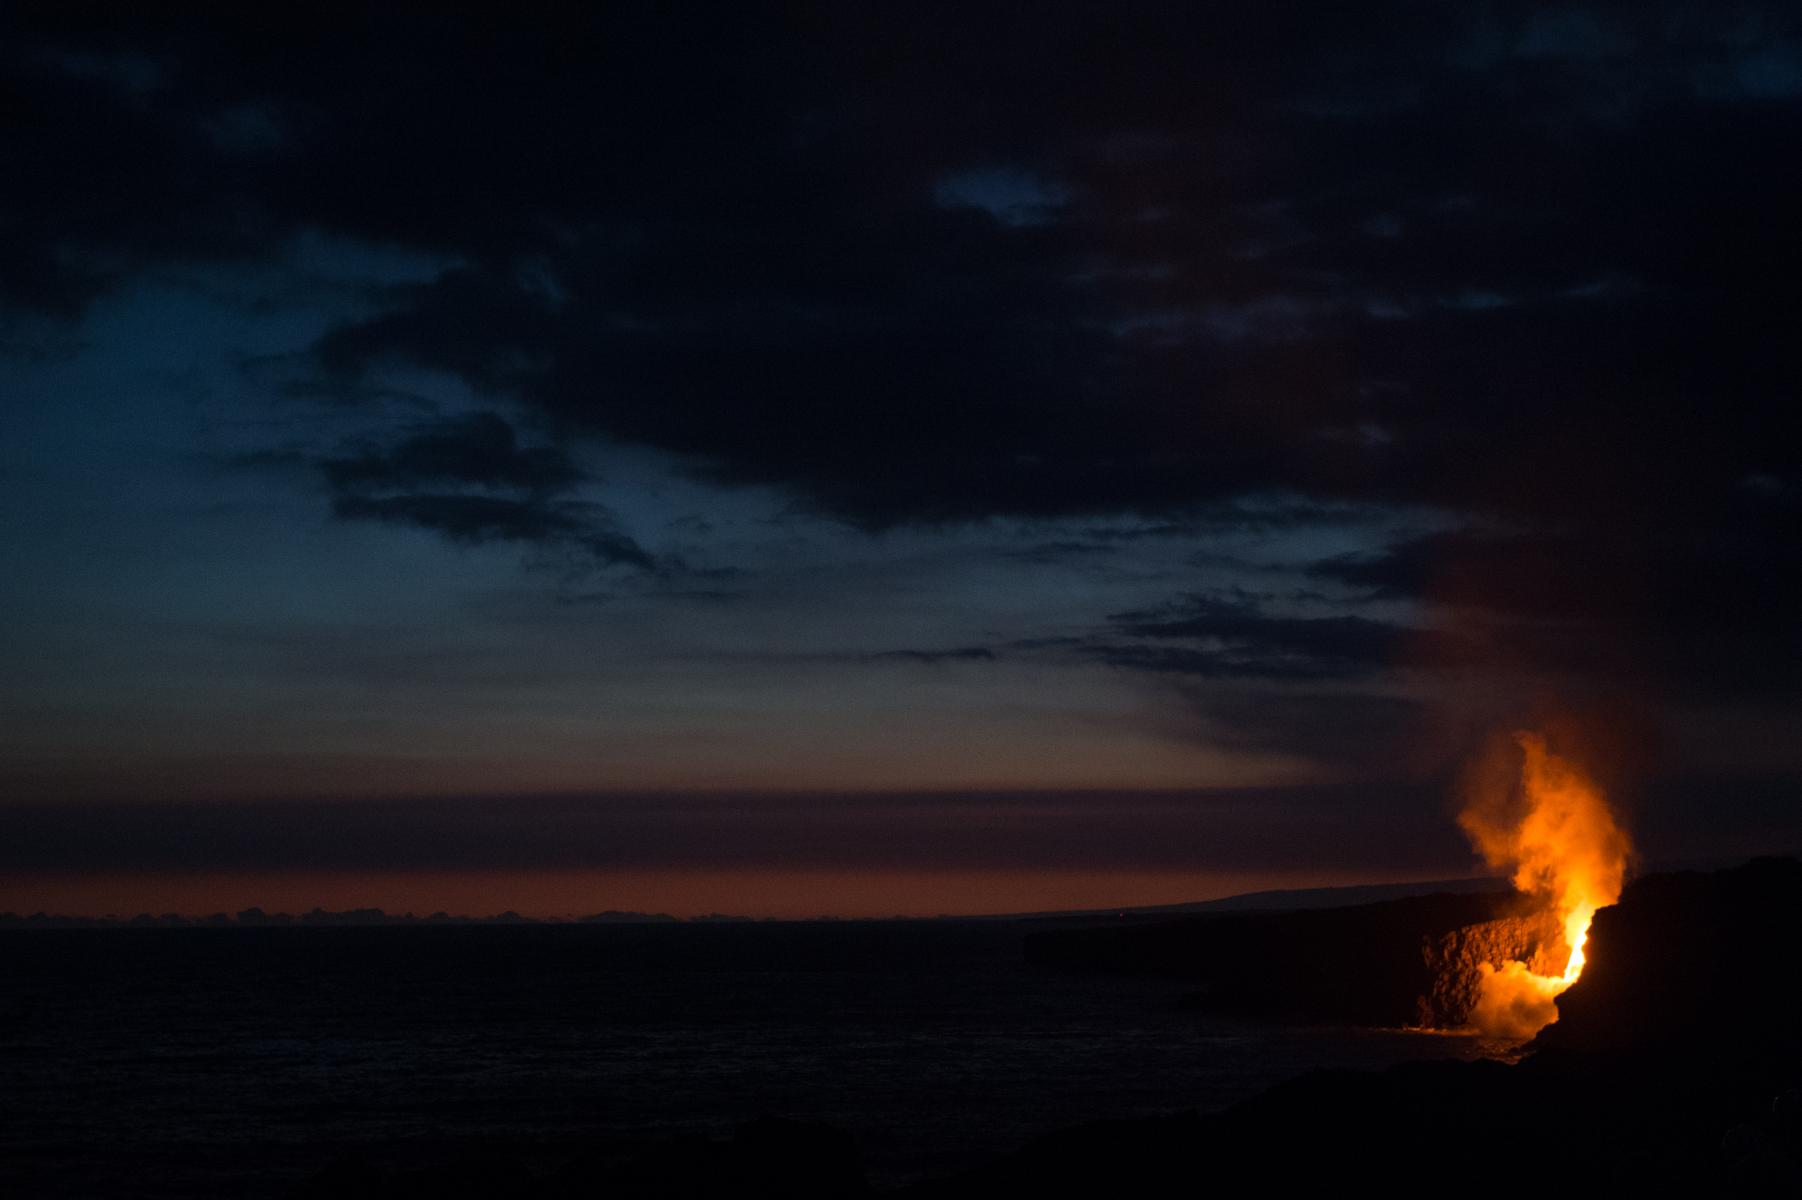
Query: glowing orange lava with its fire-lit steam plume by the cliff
x=1560 y=839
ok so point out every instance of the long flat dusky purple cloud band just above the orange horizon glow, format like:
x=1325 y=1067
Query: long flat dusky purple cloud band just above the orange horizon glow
x=1297 y=828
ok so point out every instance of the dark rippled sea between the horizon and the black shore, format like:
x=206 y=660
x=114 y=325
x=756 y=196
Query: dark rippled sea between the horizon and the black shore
x=239 y=1062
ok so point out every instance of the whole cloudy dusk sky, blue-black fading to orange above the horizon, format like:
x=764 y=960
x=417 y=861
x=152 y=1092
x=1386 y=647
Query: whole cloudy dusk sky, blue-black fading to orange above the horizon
x=1145 y=448
